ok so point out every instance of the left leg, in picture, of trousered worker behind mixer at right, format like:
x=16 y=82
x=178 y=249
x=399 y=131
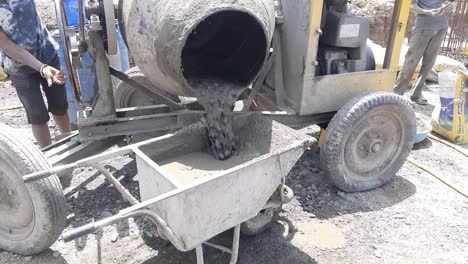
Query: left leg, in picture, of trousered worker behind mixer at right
x=417 y=45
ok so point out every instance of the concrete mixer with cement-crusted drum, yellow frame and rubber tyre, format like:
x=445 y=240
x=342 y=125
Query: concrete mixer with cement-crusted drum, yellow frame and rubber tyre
x=304 y=62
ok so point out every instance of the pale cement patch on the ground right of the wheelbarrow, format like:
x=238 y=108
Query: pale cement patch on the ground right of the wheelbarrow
x=322 y=235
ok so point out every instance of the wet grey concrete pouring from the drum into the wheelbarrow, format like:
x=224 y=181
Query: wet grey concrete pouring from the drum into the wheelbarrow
x=218 y=98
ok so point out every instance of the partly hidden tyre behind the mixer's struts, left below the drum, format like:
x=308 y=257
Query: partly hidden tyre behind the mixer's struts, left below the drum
x=127 y=96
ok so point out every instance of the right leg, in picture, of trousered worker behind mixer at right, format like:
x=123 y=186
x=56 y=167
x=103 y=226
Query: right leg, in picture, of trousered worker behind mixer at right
x=429 y=59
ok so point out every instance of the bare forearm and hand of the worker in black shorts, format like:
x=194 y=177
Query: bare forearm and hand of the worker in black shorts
x=22 y=56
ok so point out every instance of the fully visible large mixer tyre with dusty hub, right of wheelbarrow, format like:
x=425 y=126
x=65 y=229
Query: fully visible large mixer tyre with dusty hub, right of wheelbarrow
x=368 y=141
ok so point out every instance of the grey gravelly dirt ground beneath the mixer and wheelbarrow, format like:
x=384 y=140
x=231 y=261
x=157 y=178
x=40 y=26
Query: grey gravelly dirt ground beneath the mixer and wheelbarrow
x=414 y=219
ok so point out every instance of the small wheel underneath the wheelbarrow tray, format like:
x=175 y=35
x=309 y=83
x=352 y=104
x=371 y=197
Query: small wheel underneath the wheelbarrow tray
x=259 y=223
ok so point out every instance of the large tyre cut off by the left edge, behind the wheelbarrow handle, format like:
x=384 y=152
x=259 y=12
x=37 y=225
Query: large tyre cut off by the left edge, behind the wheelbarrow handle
x=32 y=214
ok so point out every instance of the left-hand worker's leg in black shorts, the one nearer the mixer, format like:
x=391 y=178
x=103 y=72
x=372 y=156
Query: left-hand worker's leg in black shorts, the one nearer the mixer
x=57 y=101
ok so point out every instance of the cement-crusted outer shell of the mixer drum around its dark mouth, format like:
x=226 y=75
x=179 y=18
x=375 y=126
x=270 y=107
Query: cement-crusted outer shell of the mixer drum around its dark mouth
x=156 y=33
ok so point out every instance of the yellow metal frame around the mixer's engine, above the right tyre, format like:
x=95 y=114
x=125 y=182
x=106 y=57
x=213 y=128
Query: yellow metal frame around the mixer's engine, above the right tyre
x=322 y=94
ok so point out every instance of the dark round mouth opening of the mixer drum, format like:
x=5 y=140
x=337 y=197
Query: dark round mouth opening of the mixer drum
x=227 y=45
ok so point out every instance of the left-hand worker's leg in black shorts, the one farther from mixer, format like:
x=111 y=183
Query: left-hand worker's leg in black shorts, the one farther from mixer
x=29 y=92
